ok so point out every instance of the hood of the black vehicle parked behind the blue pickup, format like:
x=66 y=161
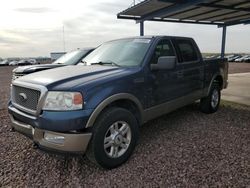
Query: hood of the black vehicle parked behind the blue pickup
x=35 y=68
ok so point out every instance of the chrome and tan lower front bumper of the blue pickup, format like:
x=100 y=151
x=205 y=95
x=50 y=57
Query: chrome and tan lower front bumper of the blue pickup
x=70 y=142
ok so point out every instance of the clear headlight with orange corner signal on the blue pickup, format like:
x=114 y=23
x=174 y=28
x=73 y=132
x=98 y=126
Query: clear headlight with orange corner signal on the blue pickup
x=62 y=101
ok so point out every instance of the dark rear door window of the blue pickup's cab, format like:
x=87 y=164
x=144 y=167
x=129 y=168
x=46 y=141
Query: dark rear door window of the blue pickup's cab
x=187 y=50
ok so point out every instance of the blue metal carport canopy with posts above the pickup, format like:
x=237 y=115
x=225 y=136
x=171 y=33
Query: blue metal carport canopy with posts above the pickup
x=222 y=13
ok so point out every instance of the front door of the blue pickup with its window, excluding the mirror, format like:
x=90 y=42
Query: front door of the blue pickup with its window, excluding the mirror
x=165 y=85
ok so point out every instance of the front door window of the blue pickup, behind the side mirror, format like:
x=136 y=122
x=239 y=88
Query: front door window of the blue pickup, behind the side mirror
x=163 y=48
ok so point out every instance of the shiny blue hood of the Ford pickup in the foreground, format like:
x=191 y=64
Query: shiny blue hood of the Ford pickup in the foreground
x=70 y=76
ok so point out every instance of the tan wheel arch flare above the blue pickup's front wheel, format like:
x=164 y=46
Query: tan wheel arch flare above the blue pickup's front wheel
x=124 y=100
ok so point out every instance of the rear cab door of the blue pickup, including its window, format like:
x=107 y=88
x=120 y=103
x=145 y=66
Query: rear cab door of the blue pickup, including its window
x=192 y=65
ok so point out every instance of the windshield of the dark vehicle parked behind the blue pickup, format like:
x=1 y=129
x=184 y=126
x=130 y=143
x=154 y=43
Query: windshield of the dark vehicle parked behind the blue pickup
x=71 y=58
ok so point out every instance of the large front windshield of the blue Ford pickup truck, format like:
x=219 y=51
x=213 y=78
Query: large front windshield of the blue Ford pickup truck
x=125 y=53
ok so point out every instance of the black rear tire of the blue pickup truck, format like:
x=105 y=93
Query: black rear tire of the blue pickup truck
x=206 y=103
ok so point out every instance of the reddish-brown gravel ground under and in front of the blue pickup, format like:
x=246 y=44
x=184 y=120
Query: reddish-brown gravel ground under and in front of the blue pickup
x=183 y=149
